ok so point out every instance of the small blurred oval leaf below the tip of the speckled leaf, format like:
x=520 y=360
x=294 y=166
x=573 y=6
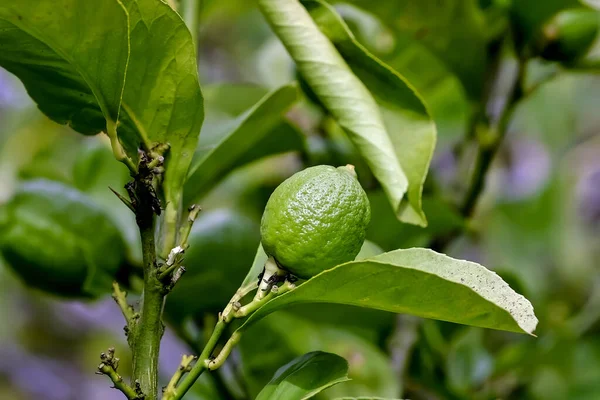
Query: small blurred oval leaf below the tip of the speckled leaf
x=468 y=364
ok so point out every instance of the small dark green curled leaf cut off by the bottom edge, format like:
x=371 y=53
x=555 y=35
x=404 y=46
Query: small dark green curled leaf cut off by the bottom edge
x=306 y=376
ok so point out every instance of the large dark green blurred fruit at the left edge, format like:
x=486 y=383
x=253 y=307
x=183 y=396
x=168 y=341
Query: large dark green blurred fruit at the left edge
x=56 y=239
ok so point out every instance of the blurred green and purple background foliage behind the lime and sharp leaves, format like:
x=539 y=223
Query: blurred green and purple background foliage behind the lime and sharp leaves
x=537 y=223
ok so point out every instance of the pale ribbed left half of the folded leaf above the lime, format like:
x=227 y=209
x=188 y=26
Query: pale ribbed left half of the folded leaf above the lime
x=340 y=91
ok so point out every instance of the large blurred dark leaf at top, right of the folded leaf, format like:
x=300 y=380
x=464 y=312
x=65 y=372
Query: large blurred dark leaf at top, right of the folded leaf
x=453 y=30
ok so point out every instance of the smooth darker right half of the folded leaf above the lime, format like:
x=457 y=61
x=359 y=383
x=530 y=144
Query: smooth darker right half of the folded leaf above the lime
x=407 y=120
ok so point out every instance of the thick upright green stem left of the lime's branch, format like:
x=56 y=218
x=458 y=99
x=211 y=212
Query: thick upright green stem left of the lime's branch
x=149 y=330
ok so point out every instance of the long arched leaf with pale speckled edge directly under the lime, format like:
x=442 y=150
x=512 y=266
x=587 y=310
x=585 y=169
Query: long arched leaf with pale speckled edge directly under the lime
x=419 y=282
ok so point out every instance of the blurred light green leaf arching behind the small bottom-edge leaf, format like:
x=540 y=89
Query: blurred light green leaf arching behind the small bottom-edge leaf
x=284 y=336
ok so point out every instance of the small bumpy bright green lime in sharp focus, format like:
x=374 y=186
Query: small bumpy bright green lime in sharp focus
x=315 y=220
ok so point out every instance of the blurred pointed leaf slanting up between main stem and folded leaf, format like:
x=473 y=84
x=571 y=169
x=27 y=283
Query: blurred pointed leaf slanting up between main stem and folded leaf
x=258 y=132
